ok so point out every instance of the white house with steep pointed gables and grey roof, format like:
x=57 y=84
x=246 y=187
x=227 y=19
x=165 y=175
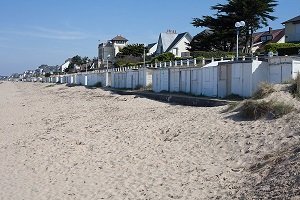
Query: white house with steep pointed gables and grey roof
x=175 y=43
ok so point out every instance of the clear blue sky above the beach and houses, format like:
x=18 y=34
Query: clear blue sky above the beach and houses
x=35 y=32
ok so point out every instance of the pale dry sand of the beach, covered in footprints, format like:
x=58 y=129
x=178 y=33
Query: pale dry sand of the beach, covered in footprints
x=59 y=142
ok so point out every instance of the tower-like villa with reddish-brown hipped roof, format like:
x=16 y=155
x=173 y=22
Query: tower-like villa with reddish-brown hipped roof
x=111 y=48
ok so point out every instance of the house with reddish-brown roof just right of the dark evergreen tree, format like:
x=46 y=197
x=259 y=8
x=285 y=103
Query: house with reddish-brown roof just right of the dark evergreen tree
x=260 y=39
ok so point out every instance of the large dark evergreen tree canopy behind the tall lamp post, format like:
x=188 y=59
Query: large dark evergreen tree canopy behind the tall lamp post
x=255 y=13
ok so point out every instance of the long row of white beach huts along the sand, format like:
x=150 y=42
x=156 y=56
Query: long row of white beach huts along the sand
x=216 y=79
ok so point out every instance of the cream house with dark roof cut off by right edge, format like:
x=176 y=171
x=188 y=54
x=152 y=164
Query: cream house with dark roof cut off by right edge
x=292 y=29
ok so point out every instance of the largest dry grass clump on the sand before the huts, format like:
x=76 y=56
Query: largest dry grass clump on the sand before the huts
x=257 y=109
